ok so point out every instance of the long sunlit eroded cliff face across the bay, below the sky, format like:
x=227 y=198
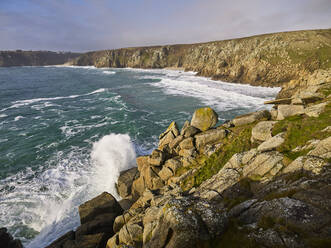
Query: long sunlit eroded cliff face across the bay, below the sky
x=268 y=60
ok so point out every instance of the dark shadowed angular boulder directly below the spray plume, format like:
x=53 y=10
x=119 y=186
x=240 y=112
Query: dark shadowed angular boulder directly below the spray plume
x=104 y=203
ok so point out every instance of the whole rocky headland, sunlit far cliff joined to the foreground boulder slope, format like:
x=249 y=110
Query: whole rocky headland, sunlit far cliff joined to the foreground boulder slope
x=259 y=180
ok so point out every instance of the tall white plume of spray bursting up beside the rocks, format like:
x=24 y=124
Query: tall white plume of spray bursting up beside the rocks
x=112 y=154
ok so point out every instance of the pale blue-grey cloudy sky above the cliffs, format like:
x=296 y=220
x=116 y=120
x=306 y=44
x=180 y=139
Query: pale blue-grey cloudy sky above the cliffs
x=88 y=25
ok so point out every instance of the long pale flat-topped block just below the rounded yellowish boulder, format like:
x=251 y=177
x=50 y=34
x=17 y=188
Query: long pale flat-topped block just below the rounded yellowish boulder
x=209 y=137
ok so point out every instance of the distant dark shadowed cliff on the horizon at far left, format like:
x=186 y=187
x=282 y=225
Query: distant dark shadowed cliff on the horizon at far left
x=35 y=58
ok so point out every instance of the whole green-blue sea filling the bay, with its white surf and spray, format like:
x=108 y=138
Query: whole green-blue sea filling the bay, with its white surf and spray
x=66 y=133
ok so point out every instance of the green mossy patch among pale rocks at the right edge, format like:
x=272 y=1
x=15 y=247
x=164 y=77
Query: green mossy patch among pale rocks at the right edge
x=295 y=126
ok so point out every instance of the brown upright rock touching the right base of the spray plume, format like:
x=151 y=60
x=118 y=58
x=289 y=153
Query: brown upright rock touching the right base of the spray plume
x=125 y=181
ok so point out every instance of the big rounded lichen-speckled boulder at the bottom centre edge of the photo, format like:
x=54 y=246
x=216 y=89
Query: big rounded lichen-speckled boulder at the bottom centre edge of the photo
x=182 y=223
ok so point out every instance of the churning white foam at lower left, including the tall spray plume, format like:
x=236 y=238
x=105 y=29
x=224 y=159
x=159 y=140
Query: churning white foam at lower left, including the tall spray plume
x=46 y=200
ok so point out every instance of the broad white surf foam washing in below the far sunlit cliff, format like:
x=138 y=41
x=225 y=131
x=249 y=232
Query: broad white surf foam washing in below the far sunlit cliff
x=220 y=95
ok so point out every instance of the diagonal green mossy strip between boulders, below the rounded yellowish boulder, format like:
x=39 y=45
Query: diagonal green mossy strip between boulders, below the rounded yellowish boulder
x=238 y=141
